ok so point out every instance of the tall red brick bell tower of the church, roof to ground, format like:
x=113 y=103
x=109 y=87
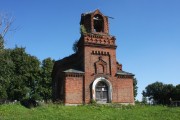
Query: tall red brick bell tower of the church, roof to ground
x=98 y=49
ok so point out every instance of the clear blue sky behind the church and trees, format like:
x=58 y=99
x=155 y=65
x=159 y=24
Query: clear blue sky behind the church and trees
x=147 y=33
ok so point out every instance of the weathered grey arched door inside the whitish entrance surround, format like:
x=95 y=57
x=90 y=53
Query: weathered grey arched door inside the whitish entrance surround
x=101 y=92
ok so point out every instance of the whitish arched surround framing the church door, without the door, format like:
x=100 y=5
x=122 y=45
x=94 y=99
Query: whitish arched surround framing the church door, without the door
x=107 y=83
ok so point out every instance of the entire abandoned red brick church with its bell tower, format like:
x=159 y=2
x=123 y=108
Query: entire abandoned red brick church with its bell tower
x=92 y=73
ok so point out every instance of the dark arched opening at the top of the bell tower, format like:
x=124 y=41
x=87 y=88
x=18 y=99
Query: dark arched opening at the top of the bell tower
x=98 y=23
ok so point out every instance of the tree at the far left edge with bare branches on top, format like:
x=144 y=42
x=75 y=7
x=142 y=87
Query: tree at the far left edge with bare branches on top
x=6 y=64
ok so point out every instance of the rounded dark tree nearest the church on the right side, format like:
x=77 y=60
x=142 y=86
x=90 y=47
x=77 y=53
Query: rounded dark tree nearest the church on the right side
x=159 y=92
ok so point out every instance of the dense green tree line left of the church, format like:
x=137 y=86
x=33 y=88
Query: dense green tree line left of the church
x=23 y=76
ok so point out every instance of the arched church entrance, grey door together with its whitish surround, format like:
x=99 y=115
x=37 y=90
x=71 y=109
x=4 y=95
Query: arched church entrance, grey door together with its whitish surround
x=102 y=90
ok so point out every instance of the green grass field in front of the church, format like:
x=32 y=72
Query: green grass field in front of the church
x=88 y=112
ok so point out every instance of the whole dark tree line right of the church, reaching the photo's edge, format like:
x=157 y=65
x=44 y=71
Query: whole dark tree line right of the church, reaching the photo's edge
x=160 y=93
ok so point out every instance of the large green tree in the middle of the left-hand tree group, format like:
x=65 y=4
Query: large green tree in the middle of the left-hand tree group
x=25 y=76
